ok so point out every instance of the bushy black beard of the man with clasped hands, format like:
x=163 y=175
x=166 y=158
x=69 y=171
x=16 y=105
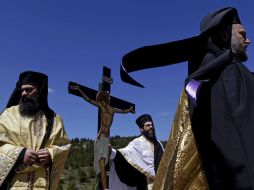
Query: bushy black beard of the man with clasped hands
x=29 y=106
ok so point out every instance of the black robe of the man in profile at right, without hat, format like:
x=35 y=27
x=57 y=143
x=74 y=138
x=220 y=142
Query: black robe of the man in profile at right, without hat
x=223 y=121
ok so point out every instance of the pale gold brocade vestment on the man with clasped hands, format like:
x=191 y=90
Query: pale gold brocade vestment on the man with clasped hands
x=16 y=133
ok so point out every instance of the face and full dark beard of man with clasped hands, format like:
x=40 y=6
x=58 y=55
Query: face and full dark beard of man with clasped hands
x=29 y=103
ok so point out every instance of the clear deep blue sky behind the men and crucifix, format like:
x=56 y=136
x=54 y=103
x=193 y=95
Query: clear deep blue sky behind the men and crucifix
x=73 y=40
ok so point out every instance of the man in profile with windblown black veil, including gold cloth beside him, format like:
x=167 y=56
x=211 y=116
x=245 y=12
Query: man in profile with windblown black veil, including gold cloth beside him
x=220 y=108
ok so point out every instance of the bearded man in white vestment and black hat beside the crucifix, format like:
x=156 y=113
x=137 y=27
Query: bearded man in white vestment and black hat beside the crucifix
x=134 y=166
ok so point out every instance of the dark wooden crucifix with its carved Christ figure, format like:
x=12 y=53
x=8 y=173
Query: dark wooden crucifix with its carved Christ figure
x=108 y=106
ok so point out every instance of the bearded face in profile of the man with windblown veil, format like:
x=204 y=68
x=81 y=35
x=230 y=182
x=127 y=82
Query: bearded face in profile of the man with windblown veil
x=239 y=43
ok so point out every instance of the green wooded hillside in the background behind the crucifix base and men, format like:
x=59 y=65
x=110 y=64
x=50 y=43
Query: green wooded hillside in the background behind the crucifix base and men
x=79 y=173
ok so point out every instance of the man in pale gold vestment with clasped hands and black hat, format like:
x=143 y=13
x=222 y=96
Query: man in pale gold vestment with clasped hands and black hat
x=33 y=142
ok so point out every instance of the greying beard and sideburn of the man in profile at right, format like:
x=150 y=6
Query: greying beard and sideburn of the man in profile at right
x=238 y=50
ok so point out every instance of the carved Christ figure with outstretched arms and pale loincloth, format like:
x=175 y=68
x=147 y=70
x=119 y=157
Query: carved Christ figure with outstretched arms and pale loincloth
x=101 y=149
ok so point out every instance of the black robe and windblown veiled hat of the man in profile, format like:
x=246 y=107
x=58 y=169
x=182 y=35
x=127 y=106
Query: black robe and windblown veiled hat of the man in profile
x=223 y=120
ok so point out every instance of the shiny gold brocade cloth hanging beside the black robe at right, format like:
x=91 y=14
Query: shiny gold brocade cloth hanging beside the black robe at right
x=180 y=167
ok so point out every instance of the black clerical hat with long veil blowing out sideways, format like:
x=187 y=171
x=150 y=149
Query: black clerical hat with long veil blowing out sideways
x=190 y=49
